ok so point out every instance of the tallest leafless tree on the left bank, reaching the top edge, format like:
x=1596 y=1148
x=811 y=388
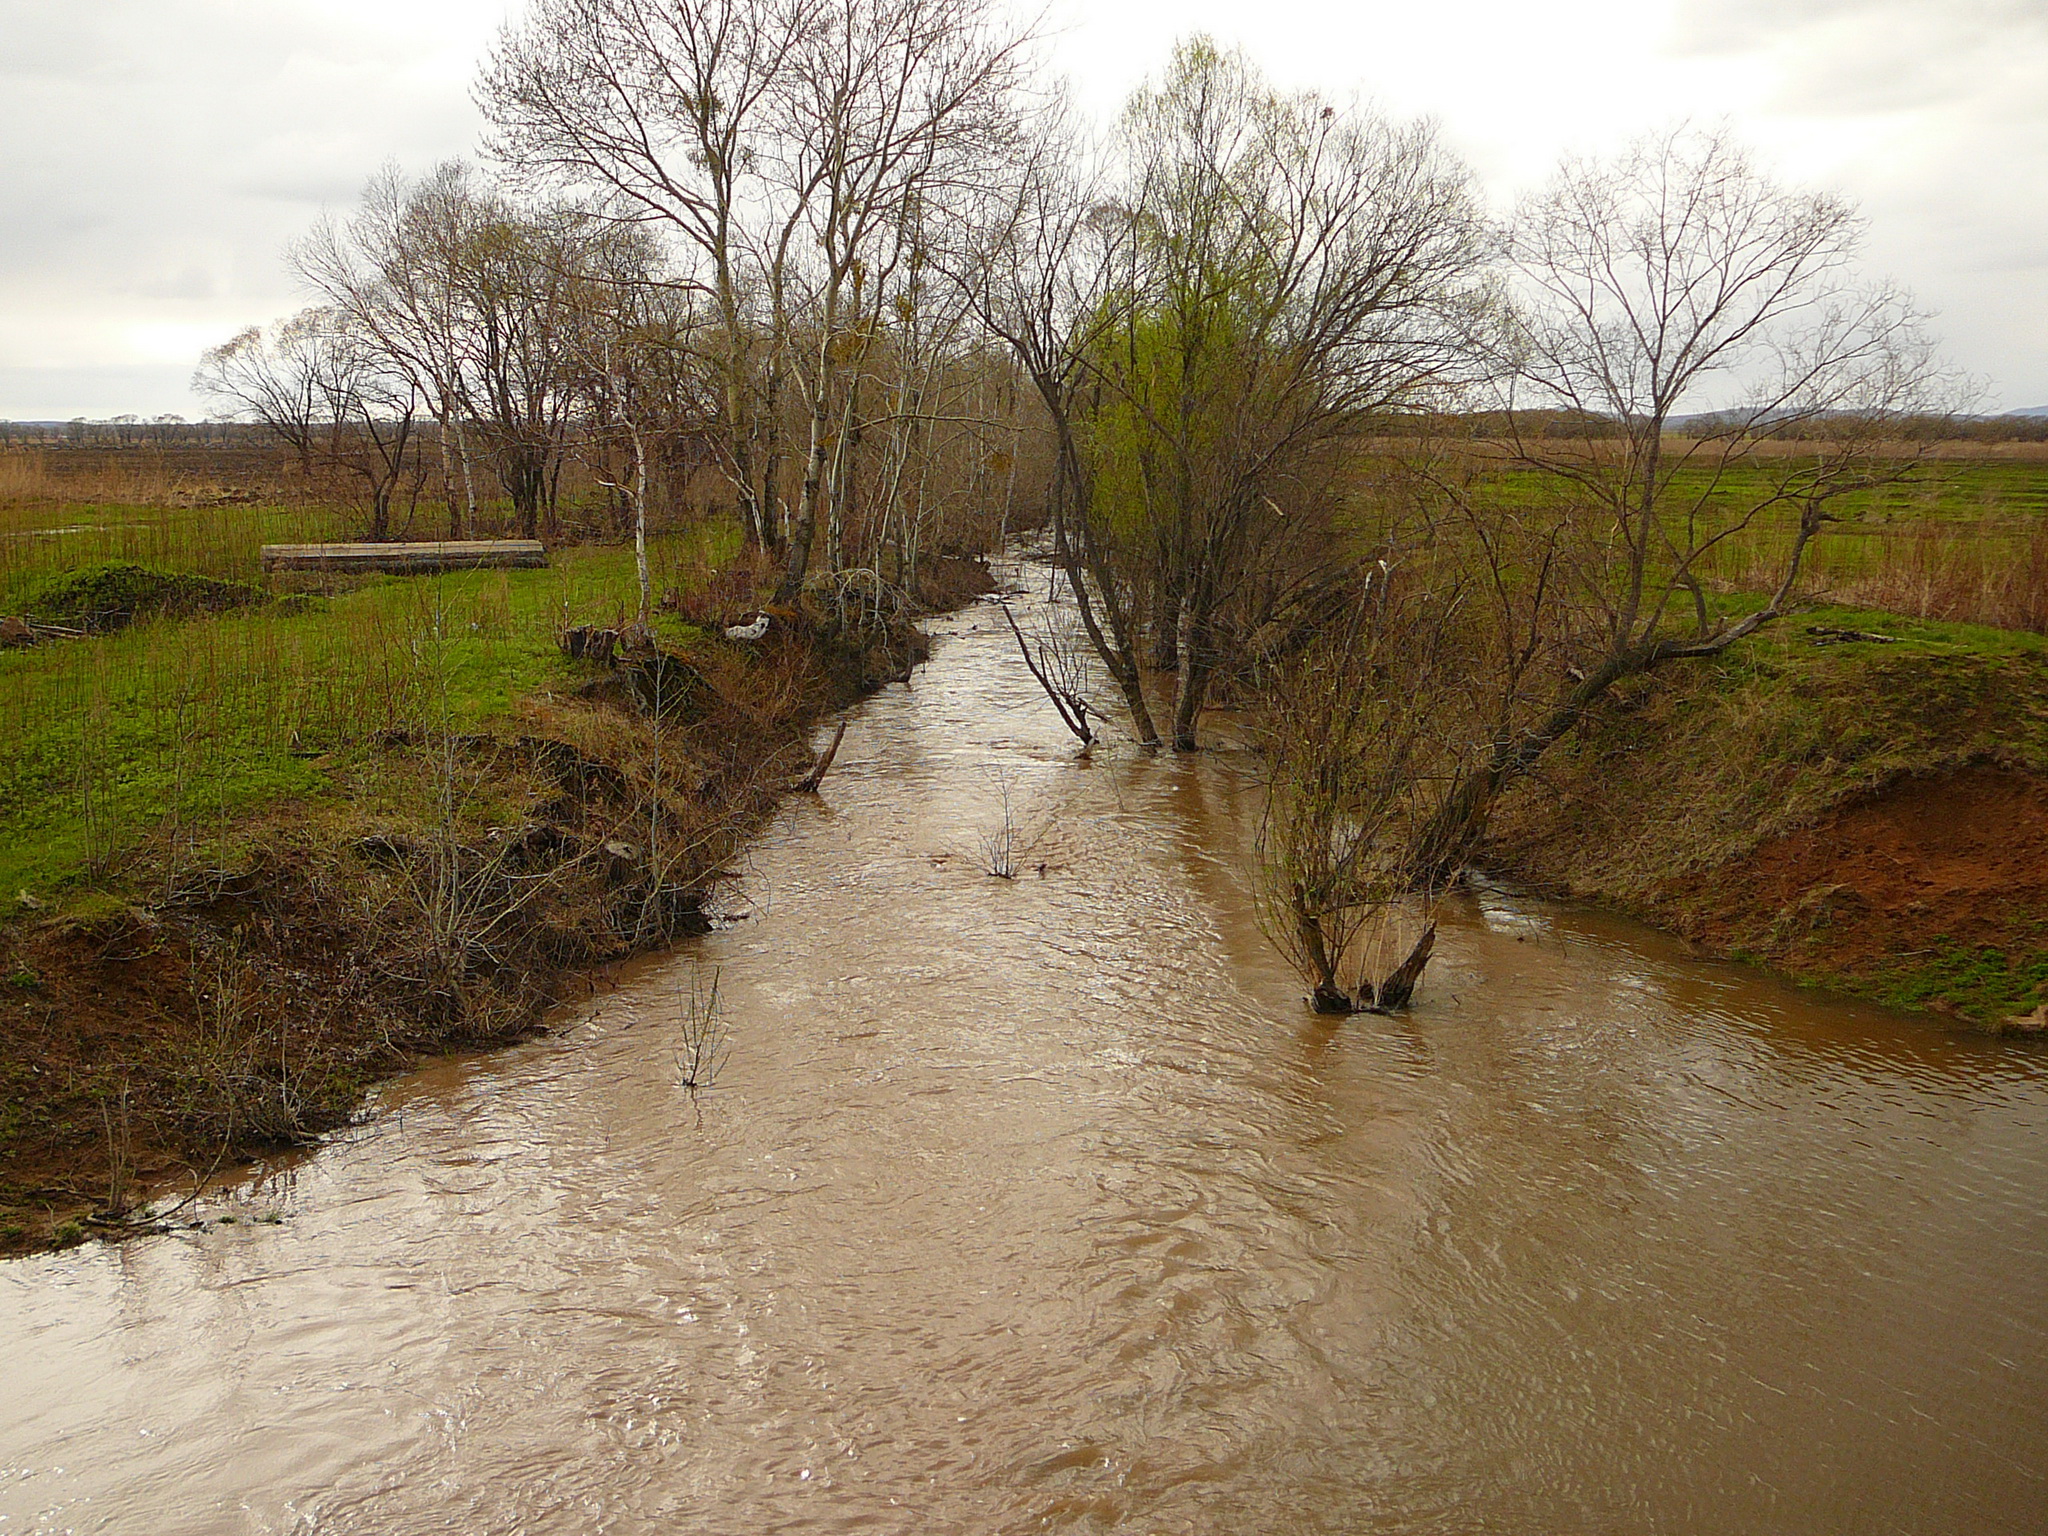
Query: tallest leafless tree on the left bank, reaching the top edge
x=794 y=148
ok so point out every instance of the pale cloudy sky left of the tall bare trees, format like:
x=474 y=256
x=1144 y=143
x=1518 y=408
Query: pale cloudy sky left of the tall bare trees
x=159 y=155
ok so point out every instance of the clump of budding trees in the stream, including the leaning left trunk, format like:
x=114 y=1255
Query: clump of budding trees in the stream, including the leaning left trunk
x=1207 y=316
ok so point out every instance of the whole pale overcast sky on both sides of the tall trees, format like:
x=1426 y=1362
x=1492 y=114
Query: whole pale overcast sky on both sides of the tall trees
x=157 y=155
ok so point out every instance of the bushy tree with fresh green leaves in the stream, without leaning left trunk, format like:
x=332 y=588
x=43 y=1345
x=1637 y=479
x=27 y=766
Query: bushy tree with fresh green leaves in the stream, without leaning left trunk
x=1289 y=271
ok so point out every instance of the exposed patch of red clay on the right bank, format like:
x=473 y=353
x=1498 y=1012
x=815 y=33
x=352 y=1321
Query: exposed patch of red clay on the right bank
x=1949 y=861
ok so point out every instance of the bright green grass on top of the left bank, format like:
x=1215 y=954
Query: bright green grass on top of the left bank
x=196 y=724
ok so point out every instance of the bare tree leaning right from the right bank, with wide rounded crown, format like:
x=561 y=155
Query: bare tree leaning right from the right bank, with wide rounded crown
x=1672 y=280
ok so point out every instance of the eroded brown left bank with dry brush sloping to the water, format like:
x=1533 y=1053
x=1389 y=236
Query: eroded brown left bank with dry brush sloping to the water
x=226 y=996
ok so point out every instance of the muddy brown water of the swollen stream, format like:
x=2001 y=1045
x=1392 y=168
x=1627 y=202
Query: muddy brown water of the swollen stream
x=1046 y=1205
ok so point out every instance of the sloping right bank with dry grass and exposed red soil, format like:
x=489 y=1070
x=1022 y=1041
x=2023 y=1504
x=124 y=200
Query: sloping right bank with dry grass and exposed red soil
x=1867 y=818
